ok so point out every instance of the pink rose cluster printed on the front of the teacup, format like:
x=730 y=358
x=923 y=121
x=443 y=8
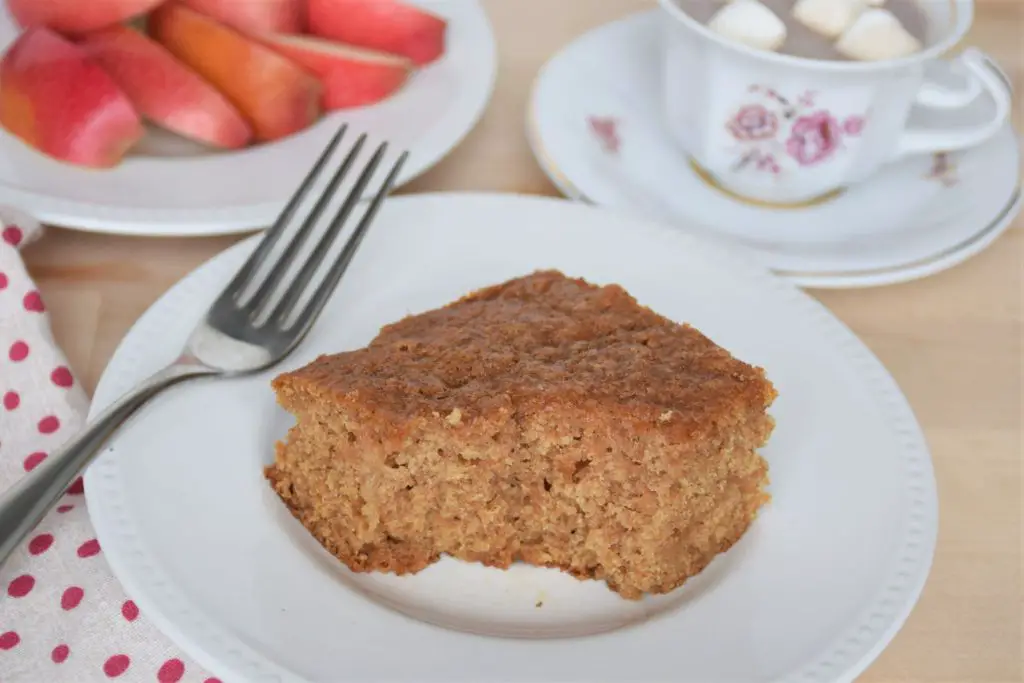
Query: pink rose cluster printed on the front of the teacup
x=779 y=132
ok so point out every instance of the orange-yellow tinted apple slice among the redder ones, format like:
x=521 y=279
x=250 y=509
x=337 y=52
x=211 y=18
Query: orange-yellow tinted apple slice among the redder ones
x=275 y=96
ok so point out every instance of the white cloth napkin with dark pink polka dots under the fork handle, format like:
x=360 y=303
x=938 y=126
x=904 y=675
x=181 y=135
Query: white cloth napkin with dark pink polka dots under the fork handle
x=64 y=618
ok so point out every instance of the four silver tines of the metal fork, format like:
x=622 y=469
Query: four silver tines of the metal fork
x=274 y=298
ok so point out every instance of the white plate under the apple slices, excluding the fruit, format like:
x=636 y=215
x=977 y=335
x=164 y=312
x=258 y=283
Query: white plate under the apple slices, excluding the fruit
x=172 y=188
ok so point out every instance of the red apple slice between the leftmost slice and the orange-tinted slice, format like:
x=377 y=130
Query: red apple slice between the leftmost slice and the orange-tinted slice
x=166 y=92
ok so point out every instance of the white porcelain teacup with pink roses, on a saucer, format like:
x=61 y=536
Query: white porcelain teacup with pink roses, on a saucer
x=789 y=131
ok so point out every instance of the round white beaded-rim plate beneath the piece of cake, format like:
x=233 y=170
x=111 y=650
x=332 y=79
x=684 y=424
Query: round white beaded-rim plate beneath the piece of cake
x=814 y=592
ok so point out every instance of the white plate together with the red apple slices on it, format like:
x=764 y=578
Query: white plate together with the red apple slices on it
x=201 y=117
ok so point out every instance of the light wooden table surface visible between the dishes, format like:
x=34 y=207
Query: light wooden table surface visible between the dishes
x=953 y=341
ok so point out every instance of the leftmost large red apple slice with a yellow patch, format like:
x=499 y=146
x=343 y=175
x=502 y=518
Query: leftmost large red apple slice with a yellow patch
x=56 y=100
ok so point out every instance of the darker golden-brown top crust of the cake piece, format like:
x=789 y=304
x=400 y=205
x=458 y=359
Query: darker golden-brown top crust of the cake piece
x=539 y=341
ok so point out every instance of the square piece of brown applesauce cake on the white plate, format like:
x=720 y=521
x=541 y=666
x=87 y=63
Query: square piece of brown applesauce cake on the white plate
x=544 y=420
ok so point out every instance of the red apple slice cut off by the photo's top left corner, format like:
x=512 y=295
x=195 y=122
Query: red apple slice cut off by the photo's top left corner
x=76 y=17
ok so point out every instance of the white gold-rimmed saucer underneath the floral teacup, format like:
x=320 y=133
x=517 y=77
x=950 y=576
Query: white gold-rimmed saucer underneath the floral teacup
x=595 y=126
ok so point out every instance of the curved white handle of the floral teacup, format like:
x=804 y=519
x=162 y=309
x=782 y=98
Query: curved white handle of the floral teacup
x=984 y=76
